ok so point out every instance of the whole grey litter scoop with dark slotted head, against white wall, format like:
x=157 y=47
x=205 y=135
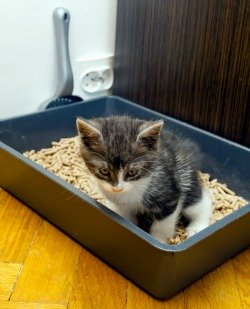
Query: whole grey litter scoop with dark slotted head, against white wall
x=63 y=94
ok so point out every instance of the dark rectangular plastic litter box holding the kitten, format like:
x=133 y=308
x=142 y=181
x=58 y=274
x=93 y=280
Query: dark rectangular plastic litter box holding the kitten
x=160 y=269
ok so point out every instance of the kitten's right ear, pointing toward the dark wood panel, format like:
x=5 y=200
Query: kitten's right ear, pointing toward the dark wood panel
x=150 y=133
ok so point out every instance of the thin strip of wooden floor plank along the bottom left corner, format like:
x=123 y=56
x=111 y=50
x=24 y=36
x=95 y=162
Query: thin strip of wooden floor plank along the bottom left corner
x=23 y=305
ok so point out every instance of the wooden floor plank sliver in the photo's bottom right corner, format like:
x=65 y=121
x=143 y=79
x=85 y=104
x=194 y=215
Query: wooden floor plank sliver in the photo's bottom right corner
x=241 y=265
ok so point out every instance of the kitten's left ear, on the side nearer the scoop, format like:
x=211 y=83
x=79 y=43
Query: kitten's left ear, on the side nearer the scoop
x=90 y=135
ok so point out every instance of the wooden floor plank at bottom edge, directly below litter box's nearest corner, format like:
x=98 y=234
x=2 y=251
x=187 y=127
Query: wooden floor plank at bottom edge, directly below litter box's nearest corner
x=138 y=299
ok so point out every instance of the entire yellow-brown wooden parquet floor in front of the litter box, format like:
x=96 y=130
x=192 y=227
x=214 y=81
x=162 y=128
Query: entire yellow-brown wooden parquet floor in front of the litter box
x=40 y=267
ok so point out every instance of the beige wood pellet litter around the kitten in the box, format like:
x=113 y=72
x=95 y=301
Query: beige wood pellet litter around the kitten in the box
x=64 y=160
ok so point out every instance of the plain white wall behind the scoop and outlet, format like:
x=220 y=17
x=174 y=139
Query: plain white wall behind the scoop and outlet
x=28 y=67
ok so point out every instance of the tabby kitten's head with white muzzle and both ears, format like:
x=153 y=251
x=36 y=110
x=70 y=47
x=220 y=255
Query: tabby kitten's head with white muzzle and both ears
x=119 y=151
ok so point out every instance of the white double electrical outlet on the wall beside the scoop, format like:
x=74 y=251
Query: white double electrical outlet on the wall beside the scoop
x=94 y=77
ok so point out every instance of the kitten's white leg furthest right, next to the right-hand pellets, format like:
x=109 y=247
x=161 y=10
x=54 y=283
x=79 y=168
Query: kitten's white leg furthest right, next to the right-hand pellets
x=199 y=214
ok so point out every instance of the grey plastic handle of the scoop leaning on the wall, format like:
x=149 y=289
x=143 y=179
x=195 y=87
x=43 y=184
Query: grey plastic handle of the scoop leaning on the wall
x=65 y=84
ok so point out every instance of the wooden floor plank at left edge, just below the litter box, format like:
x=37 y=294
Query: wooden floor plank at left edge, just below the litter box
x=17 y=228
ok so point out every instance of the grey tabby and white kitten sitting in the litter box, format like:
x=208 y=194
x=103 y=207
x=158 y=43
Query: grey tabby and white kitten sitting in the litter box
x=148 y=174
